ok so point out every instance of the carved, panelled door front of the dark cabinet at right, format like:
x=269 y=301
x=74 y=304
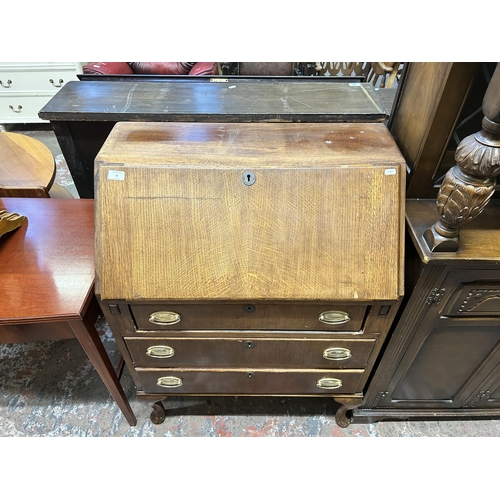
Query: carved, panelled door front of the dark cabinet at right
x=453 y=360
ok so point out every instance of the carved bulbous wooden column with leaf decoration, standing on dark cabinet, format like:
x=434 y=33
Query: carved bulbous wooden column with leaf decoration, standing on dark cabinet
x=469 y=185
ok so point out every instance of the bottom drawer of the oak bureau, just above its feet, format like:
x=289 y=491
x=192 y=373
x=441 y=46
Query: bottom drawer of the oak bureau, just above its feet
x=250 y=381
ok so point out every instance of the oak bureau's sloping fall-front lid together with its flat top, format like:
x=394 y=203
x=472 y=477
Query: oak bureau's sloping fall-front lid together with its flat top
x=237 y=211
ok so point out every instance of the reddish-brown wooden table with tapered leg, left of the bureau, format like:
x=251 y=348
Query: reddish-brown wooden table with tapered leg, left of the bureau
x=47 y=281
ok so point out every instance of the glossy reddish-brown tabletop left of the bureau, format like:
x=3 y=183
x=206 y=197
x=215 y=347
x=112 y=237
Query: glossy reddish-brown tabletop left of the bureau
x=47 y=265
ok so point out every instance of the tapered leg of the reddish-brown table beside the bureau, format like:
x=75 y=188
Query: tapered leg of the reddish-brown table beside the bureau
x=89 y=339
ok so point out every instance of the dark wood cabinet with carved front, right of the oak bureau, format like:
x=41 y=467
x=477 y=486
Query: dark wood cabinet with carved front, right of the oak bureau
x=443 y=357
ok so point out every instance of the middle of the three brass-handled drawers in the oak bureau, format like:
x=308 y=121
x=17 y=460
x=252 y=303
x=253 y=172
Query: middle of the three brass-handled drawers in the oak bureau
x=258 y=352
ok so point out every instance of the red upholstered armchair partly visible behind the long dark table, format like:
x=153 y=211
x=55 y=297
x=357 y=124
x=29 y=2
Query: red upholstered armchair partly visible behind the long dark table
x=150 y=68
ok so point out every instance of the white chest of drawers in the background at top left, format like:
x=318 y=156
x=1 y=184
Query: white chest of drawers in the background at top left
x=25 y=87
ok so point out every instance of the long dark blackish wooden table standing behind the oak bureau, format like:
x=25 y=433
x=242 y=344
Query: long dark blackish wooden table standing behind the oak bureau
x=83 y=112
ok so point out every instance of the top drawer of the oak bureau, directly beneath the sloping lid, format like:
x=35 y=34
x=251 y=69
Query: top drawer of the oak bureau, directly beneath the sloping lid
x=249 y=316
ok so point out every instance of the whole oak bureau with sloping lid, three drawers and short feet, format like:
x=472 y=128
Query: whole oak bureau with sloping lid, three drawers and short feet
x=250 y=258
